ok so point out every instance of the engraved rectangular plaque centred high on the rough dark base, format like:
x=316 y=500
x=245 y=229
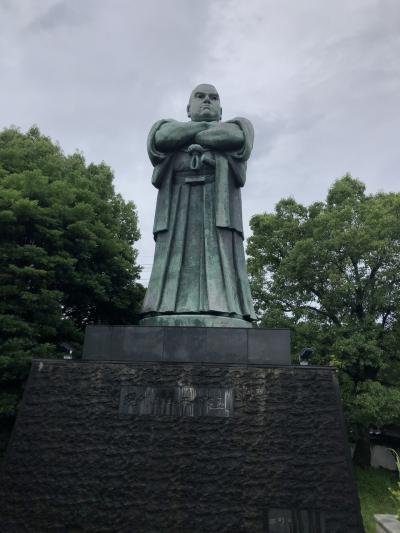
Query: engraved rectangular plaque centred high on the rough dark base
x=192 y=401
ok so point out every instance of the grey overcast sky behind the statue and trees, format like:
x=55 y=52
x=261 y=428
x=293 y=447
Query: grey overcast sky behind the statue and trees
x=320 y=80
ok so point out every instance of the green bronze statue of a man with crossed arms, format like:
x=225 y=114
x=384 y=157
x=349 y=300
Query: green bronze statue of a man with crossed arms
x=199 y=275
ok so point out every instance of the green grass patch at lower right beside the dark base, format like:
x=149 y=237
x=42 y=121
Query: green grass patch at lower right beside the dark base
x=373 y=490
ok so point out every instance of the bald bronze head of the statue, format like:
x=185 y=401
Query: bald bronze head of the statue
x=204 y=104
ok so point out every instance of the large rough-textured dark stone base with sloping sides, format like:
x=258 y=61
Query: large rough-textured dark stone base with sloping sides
x=123 y=446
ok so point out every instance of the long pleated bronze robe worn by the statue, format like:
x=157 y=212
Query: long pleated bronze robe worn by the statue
x=199 y=264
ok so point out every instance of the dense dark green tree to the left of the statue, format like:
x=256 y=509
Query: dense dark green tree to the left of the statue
x=66 y=255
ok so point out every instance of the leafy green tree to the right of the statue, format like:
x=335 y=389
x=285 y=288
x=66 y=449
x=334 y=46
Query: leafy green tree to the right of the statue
x=331 y=272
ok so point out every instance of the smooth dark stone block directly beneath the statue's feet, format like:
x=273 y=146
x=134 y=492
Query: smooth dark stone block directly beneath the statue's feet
x=187 y=344
